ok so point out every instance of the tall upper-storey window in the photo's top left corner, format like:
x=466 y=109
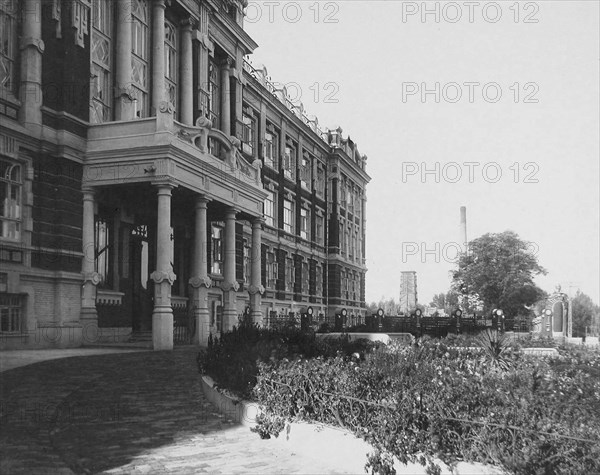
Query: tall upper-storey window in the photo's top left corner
x=8 y=45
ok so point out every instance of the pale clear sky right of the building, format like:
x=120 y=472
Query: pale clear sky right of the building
x=490 y=105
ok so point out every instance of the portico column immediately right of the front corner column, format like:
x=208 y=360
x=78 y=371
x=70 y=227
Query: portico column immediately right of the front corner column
x=200 y=281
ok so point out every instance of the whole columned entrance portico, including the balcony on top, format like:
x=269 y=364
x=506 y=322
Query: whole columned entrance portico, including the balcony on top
x=179 y=188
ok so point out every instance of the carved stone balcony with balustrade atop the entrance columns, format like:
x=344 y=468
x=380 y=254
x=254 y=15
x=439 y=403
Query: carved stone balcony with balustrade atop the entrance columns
x=159 y=149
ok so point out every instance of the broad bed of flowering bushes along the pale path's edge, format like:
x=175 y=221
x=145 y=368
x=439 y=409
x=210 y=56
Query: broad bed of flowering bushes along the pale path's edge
x=430 y=400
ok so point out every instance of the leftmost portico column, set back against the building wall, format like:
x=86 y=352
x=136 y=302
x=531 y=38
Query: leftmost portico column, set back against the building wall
x=89 y=315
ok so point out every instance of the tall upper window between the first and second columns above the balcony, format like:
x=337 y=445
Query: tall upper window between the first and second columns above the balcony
x=139 y=59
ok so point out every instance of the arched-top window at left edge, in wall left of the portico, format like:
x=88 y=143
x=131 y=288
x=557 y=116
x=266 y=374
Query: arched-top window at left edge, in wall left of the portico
x=10 y=194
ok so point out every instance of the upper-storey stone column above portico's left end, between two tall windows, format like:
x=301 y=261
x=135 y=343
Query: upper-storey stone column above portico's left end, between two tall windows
x=123 y=99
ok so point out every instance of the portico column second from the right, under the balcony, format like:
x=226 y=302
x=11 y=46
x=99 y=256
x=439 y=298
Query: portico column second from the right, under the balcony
x=230 y=284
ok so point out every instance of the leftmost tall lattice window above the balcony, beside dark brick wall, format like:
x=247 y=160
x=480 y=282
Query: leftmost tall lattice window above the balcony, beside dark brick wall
x=101 y=46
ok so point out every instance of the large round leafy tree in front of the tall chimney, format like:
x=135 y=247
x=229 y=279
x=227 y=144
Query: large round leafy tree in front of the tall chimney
x=498 y=269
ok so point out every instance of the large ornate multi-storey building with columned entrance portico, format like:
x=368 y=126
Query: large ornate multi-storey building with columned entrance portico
x=149 y=170
